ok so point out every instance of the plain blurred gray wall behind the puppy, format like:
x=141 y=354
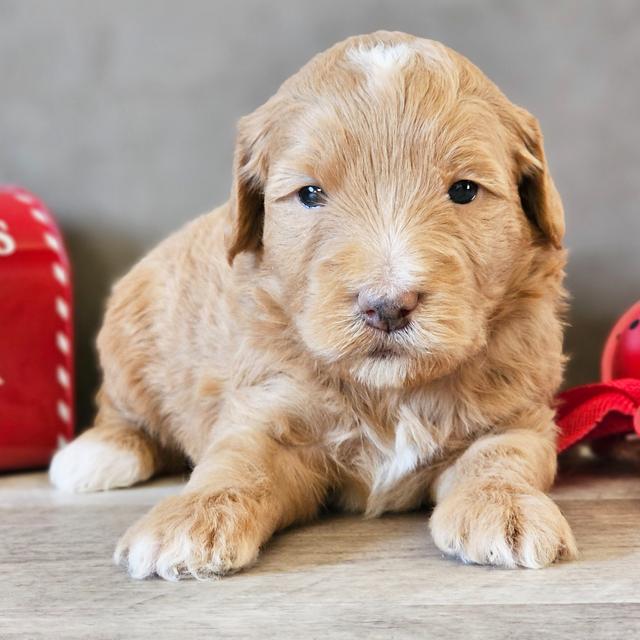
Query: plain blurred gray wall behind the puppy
x=121 y=115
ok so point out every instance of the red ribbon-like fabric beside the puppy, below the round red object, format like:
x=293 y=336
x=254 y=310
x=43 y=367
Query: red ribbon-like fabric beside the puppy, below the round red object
x=596 y=410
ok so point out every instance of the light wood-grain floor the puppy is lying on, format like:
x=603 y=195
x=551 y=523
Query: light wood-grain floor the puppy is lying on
x=342 y=577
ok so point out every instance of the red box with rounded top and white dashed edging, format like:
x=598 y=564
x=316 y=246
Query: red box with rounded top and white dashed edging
x=36 y=333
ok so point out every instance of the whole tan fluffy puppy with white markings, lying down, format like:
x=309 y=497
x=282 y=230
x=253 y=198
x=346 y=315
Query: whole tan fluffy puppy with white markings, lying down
x=372 y=321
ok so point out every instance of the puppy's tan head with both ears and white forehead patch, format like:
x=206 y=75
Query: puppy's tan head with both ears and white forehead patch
x=396 y=196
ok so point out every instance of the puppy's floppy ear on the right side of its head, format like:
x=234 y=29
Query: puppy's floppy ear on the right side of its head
x=538 y=195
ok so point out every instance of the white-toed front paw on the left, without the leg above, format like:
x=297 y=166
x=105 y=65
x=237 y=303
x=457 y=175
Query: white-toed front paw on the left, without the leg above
x=197 y=535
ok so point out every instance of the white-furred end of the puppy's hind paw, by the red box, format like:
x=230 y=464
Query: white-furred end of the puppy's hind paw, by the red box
x=86 y=465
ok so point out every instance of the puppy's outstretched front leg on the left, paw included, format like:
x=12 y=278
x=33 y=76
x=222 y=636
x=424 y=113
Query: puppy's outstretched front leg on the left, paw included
x=245 y=488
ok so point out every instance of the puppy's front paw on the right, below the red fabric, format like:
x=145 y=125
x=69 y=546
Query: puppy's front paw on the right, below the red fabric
x=502 y=525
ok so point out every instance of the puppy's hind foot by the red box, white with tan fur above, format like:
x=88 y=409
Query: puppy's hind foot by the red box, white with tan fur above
x=112 y=454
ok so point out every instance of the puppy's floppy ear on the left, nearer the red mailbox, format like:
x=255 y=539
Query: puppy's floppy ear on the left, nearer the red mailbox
x=249 y=178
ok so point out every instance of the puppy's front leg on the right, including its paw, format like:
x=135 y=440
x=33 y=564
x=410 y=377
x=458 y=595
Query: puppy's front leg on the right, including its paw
x=491 y=508
